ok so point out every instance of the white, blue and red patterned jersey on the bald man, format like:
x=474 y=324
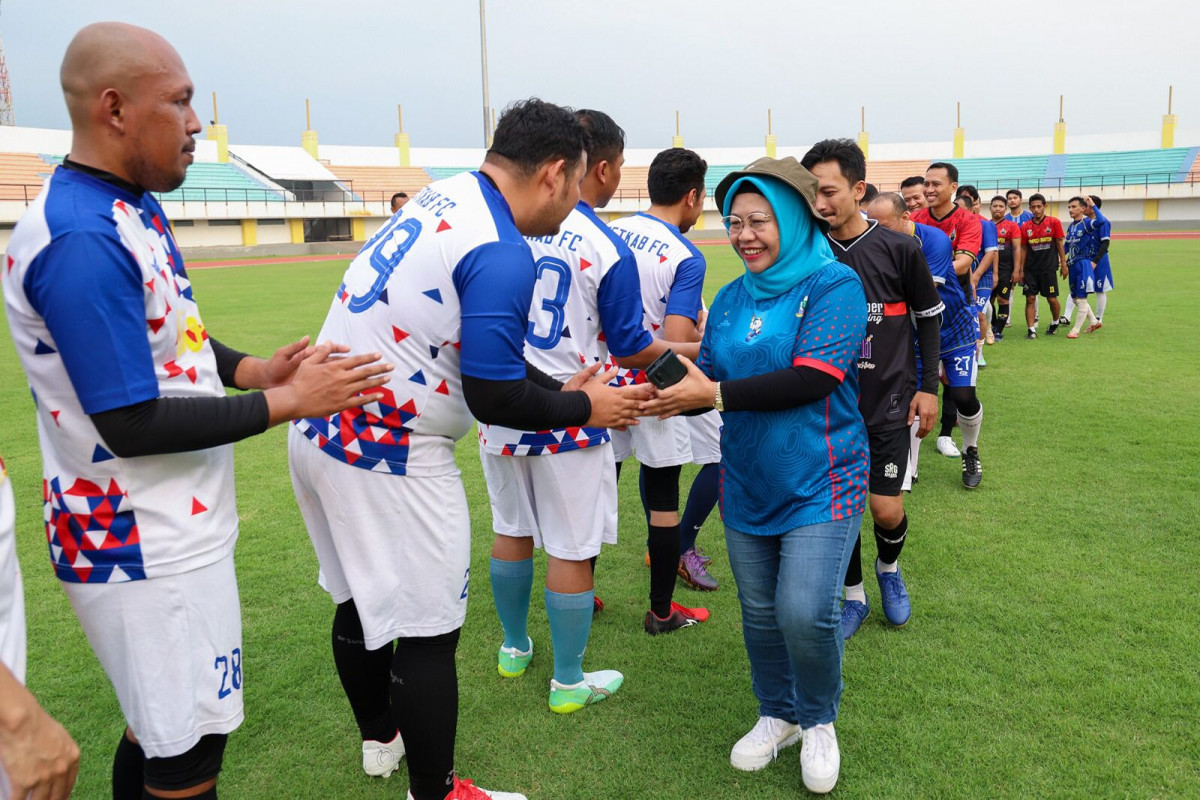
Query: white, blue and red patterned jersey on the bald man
x=104 y=317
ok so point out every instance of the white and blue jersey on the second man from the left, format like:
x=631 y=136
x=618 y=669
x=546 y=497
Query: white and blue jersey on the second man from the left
x=442 y=291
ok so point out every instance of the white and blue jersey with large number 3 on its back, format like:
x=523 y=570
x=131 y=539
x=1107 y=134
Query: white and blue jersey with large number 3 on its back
x=587 y=304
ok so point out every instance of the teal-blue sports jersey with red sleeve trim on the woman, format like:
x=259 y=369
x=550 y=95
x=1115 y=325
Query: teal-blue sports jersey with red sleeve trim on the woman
x=807 y=465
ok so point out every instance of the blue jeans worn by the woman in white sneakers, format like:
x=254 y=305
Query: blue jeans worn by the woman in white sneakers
x=790 y=587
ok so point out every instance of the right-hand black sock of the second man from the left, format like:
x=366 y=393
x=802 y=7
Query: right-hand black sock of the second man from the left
x=425 y=705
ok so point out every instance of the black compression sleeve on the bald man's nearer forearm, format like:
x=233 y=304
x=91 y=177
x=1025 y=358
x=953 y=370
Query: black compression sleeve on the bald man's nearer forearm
x=171 y=425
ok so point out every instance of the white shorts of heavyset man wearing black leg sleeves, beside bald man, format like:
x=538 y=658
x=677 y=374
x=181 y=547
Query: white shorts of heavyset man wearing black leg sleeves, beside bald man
x=399 y=545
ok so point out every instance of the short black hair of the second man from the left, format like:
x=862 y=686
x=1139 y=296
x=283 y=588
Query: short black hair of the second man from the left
x=532 y=133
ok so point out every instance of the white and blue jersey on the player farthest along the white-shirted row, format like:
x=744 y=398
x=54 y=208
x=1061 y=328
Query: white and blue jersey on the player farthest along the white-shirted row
x=670 y=270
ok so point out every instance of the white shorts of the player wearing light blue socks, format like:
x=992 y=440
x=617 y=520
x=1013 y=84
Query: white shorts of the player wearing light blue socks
x=566 y=502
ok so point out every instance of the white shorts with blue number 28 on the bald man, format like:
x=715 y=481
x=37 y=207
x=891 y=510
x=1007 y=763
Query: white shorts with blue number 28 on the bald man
x=172 y=647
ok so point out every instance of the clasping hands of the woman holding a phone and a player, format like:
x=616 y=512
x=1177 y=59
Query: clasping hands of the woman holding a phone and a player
x=675 y=386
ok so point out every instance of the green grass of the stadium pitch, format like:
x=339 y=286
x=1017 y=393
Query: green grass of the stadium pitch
x=1052 y=651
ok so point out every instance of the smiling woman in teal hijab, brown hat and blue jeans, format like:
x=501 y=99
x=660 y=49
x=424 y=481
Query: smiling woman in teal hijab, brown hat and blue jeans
x=779 y=359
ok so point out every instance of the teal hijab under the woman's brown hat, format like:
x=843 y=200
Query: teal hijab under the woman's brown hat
x=803 y=249
